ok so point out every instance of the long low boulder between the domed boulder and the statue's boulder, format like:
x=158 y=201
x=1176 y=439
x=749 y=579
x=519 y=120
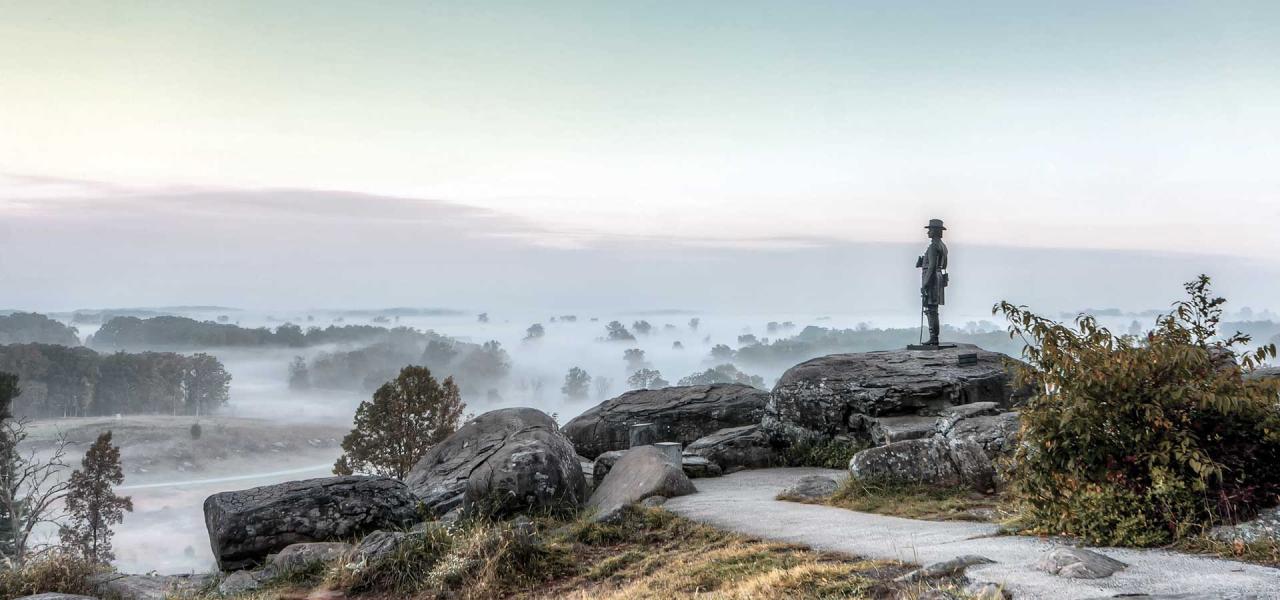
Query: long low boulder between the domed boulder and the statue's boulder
x=683 y=415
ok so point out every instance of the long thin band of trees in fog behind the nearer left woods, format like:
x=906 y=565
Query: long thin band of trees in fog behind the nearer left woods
x=171 y=332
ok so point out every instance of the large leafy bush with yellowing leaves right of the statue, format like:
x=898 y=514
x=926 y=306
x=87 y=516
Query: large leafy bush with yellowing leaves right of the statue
x=1141 y=441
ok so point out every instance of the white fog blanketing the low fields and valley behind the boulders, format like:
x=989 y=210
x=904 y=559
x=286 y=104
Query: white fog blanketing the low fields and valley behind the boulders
x=269 y=433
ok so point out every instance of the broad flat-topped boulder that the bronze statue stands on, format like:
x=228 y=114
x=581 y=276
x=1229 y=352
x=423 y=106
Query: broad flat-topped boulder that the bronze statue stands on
x=842 y=395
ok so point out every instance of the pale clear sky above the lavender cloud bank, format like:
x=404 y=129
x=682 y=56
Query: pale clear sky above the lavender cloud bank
x=1118 y=126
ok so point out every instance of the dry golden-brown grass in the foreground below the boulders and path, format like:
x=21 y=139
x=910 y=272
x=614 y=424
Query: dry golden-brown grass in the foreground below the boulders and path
x=647 y=555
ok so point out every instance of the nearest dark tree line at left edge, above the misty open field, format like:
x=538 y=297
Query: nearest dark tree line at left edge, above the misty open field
x=61 y=382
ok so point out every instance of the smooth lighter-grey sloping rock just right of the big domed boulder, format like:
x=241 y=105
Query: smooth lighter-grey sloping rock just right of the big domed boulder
x=642 y=473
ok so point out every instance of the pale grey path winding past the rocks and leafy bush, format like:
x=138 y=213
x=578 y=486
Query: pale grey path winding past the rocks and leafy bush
x=744 y=502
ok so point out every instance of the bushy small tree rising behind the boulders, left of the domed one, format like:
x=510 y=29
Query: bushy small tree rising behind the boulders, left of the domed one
x=405 y=419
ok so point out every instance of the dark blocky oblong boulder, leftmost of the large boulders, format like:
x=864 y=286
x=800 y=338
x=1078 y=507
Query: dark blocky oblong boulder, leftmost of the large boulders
x=245 y=526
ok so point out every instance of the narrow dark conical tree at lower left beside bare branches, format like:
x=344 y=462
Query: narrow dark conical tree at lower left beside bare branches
x=93 y=506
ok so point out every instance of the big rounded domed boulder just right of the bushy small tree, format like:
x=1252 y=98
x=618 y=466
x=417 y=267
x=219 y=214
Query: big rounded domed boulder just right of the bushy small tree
x=500 y=464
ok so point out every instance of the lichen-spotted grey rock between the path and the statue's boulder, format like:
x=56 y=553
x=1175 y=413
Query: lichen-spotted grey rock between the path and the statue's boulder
x=936 y=461
